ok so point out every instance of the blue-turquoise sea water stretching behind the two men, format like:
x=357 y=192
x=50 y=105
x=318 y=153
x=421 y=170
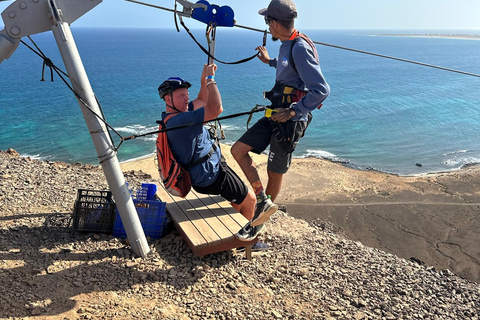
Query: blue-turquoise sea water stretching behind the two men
x=382 y=114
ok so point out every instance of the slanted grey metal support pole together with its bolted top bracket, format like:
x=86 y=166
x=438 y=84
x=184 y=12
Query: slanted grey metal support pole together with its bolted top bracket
x=24 y=18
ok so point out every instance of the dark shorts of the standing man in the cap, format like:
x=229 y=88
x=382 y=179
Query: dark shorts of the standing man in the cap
x=282 y=138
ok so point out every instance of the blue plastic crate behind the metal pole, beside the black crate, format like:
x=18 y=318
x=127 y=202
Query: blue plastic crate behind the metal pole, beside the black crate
x=153 y=218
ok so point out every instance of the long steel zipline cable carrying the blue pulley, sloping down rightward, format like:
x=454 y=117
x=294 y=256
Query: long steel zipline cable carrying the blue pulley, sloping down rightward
x=337 y=47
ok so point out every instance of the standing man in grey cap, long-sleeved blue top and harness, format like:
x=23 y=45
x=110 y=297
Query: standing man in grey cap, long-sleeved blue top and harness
x=299 y=89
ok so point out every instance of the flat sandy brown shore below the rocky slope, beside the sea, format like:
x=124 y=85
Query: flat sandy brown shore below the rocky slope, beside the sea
x=433 y=218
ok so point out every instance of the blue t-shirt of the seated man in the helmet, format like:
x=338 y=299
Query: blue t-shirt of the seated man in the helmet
x=192 y=143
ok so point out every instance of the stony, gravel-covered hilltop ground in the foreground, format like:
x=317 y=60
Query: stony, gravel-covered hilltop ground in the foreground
x=50 y=271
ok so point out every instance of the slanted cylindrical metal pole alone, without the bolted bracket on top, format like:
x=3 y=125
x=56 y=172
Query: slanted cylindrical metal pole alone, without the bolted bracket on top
x=103 y=145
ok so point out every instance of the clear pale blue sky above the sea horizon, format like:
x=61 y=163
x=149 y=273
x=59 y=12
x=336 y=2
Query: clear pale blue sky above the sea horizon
x=313 y=14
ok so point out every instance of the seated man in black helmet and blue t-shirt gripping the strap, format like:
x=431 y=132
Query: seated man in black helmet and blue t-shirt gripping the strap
x=196 y=149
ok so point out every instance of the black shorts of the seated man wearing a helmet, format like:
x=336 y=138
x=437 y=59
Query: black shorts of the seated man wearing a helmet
x=228 y=185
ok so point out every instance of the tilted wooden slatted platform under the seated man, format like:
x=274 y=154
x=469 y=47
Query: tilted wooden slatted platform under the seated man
x=207 y=223
